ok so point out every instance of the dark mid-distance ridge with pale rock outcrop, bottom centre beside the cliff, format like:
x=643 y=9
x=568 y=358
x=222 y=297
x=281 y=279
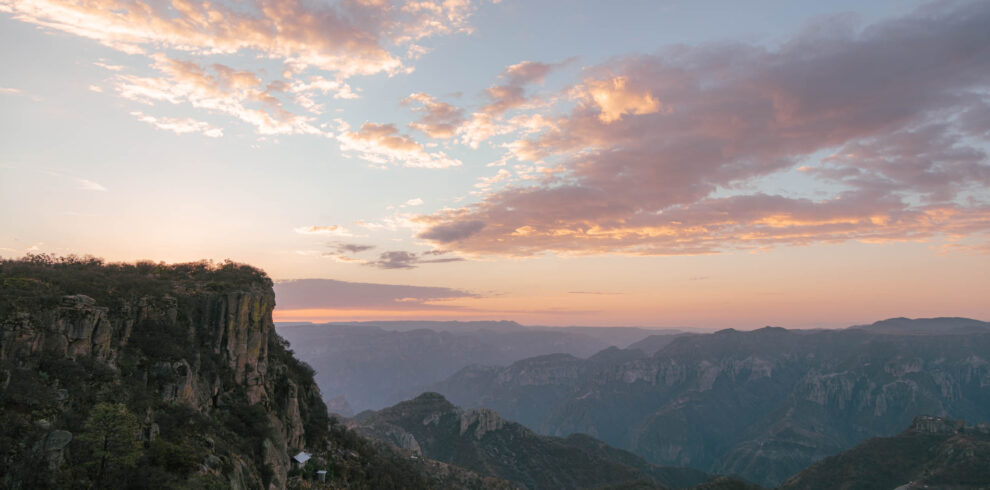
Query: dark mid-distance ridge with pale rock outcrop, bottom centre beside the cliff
x=480 y=440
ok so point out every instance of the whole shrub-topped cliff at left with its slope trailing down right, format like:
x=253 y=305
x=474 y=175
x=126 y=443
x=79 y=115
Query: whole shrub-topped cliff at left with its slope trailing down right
x=165 y=376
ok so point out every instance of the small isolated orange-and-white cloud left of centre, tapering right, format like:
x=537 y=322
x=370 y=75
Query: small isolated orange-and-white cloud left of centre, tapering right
x=382 y=144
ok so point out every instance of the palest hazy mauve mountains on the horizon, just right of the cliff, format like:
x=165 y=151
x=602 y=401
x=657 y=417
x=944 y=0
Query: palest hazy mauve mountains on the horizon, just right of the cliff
x=376 y=364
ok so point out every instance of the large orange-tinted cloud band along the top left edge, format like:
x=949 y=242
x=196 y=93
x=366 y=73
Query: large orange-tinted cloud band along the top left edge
x=348 y=38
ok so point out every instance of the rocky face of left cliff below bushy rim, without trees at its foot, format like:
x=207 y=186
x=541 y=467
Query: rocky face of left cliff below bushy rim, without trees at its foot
x=203 y=348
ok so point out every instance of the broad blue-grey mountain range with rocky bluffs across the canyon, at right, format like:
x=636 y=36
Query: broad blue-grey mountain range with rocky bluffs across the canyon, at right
x=761 y=404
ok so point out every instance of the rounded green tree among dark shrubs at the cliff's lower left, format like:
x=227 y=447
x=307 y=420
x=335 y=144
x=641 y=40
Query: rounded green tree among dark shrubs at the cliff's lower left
x=111 y=434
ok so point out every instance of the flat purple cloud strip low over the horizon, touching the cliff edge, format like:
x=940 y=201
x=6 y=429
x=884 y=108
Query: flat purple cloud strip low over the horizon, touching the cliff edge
x=332 y=294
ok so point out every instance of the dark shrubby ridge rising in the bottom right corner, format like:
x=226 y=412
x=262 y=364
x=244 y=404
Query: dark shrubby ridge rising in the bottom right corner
x=932 y=453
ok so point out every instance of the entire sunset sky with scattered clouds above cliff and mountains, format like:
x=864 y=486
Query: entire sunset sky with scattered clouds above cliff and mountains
x=643 y=163
